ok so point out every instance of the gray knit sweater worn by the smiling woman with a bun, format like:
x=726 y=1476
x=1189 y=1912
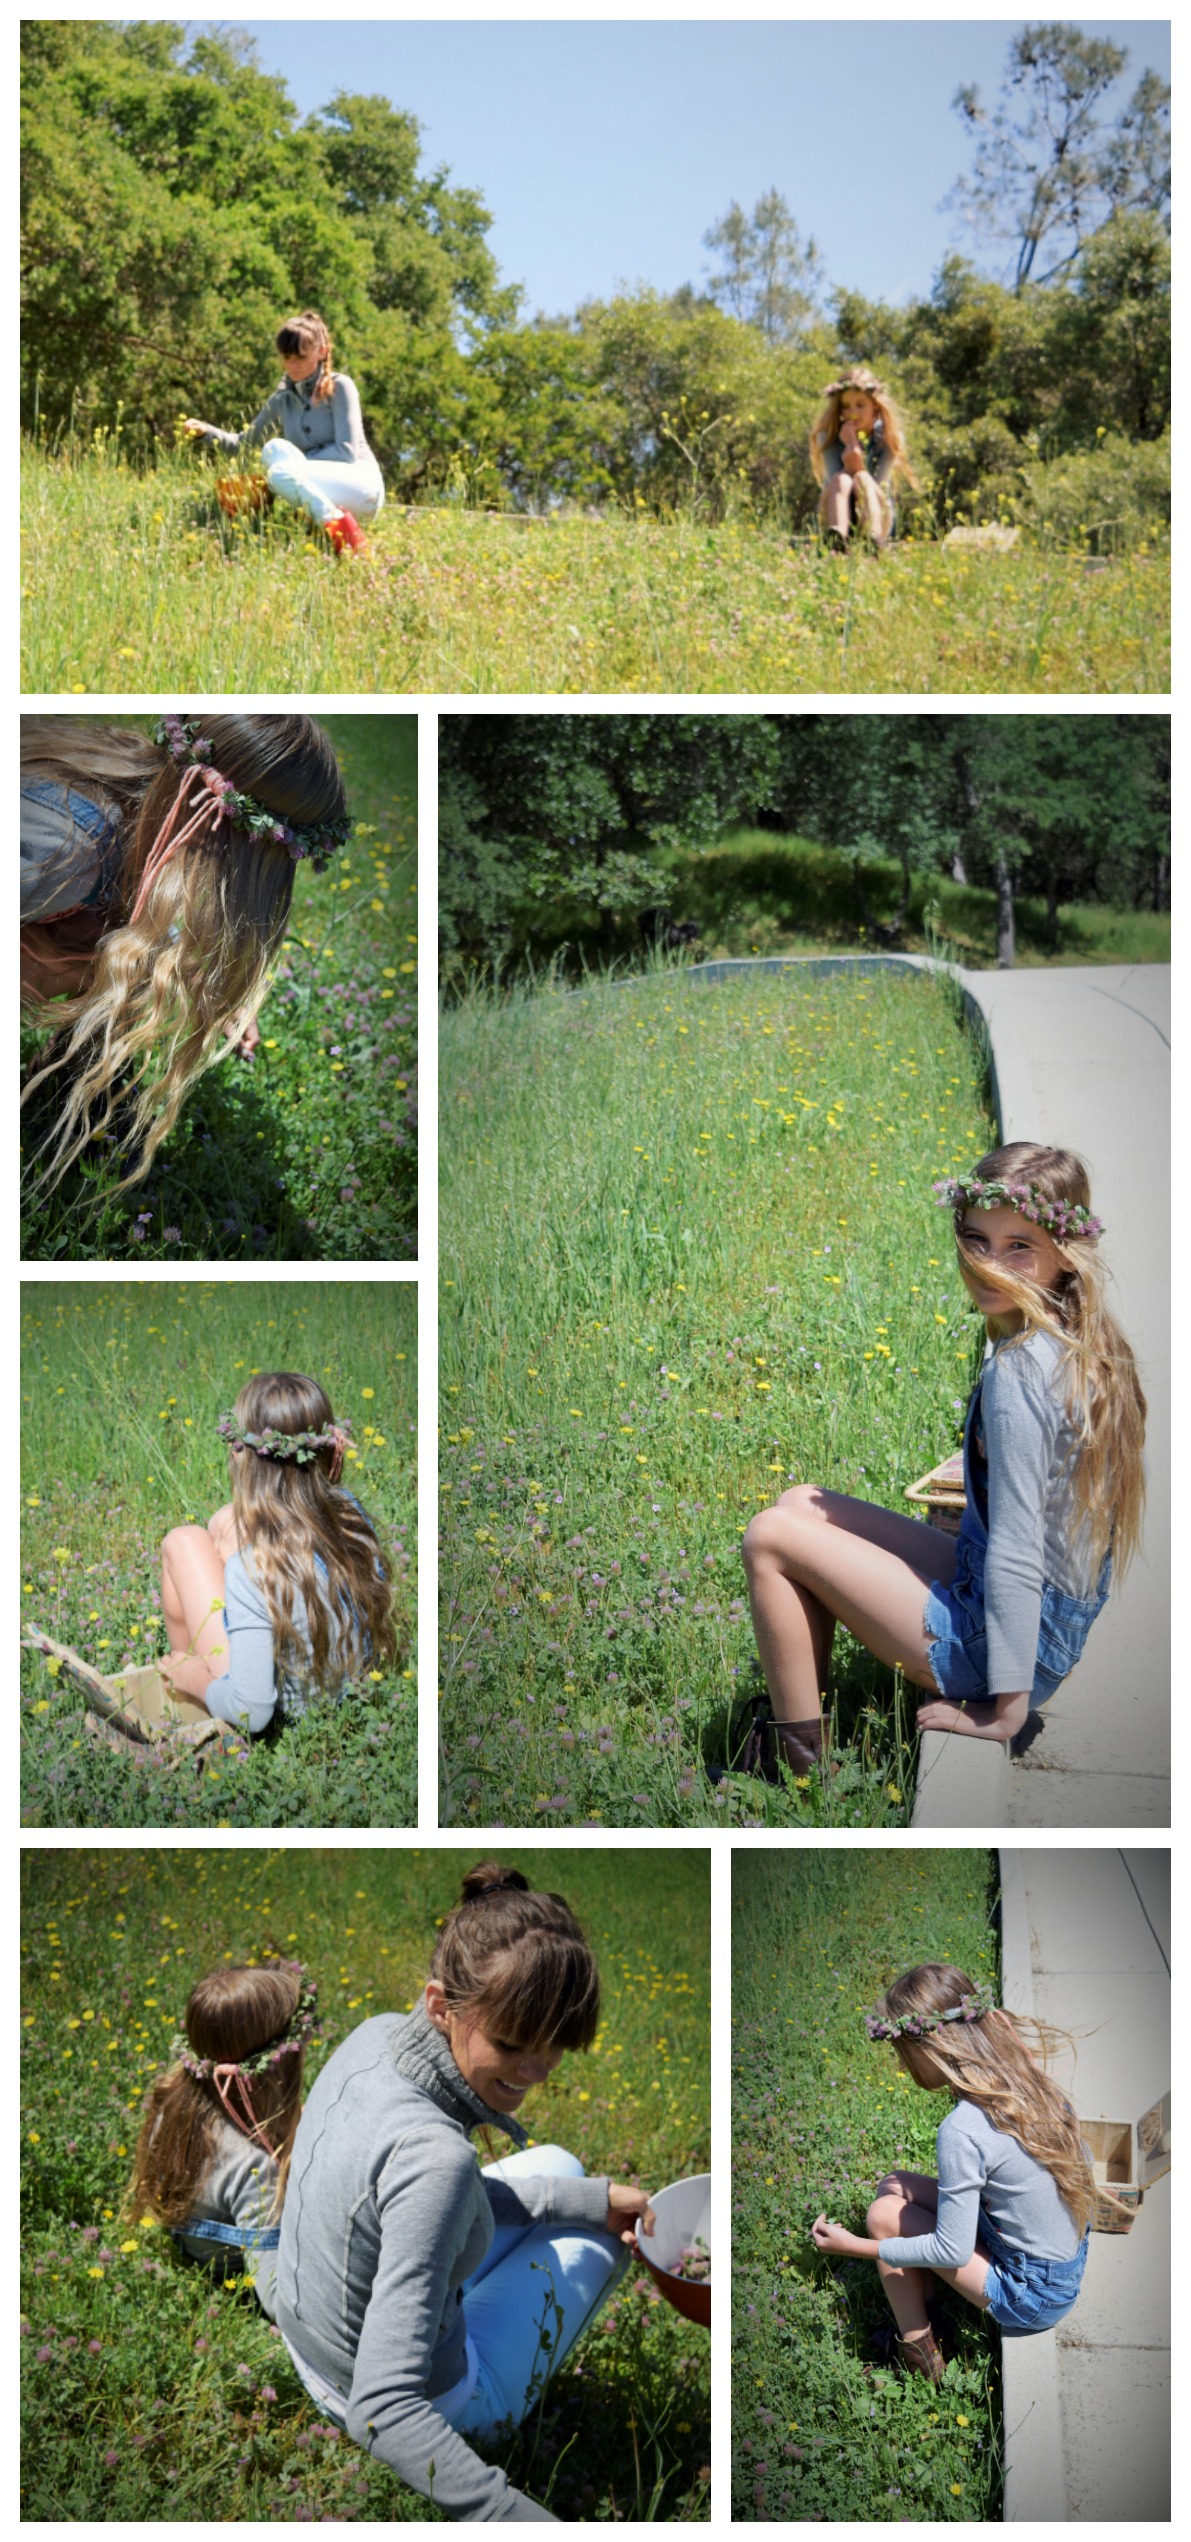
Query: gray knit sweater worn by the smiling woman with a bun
x=385 y=2218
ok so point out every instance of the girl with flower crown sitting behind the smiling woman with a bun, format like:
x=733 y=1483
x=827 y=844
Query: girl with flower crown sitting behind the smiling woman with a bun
x=220 y=2124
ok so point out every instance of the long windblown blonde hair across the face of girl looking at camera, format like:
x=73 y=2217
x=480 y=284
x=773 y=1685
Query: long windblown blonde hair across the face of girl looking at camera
x=1103 y=1392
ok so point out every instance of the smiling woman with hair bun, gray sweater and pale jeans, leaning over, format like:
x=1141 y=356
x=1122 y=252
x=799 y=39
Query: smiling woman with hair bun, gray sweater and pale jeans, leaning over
x=425 y=2302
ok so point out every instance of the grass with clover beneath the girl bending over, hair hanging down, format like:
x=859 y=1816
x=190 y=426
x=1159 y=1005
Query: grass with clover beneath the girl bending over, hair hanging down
x=306 y=1150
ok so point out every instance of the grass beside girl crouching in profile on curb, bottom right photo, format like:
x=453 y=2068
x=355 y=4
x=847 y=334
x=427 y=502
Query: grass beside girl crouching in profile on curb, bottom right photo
x=822 y=2431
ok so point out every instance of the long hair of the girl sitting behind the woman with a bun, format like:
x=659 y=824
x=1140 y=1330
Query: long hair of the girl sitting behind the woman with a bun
x=230 y=2015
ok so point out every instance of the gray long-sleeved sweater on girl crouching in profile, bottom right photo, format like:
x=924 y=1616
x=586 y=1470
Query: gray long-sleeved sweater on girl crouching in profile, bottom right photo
x=979 y=2167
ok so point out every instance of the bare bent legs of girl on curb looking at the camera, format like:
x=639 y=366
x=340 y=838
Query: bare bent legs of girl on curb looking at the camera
x=819 y=1560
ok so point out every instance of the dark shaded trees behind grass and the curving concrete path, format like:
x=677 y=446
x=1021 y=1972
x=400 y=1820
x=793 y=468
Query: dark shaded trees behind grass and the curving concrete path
x=590 y=827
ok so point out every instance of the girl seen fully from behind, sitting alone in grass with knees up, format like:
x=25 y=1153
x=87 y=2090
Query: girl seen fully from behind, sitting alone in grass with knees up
x=283 y=1595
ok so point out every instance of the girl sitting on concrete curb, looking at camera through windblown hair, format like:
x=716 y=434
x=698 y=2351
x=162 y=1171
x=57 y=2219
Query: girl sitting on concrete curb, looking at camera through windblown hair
x=997 y=1618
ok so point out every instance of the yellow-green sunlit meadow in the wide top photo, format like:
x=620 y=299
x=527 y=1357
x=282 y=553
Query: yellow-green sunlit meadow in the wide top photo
x=136 y=581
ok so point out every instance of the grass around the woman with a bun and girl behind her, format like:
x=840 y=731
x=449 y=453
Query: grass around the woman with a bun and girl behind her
x=154 y=2396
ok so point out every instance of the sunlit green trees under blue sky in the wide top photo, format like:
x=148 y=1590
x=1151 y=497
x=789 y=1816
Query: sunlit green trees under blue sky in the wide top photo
x=176 y=207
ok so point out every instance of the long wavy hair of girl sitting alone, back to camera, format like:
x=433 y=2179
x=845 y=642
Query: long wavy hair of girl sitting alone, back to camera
x=309 y=1542
